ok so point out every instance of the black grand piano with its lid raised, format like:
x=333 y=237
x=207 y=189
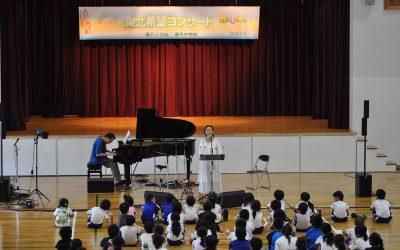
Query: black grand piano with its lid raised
x=156 y=136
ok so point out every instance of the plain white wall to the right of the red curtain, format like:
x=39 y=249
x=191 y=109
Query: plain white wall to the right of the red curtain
x=375 y=74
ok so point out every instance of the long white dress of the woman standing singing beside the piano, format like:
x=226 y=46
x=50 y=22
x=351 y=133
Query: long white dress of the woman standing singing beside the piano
x=204 y=177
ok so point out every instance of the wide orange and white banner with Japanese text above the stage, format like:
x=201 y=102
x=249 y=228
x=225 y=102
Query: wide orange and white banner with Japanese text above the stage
x=165 y=22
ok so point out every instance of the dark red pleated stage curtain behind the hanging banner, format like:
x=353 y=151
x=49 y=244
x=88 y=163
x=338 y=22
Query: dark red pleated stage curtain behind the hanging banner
x=298 y=66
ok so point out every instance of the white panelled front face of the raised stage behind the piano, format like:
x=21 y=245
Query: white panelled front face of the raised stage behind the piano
x=294 y=153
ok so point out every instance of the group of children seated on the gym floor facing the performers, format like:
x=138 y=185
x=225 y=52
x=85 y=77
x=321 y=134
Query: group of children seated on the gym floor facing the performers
x=249 y=222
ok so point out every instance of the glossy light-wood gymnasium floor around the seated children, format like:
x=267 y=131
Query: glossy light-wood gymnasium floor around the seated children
x=35 y=228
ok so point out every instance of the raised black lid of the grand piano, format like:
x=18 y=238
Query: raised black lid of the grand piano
x=150 y=126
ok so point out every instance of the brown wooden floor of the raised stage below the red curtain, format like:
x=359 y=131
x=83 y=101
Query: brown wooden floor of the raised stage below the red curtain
x=224 y=125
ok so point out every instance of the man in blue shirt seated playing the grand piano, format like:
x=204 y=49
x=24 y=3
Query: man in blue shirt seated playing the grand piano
x=99 y=156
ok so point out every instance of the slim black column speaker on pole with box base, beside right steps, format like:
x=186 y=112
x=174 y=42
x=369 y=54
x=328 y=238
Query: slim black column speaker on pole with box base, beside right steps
x=364 y=179
